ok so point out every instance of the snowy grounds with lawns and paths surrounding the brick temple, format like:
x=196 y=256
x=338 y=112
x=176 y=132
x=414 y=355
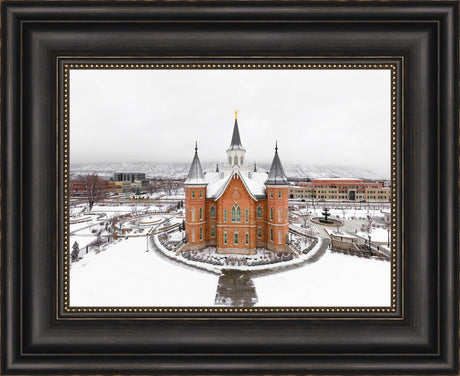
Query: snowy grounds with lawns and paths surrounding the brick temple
x=134 y=269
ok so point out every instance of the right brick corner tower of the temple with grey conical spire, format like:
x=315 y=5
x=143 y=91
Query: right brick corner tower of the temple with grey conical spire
x=277 y=206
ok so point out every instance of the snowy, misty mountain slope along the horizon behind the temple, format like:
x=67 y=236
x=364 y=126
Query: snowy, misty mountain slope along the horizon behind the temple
x=180 y=170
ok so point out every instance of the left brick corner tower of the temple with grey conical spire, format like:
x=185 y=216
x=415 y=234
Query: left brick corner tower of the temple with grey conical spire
x=195 y=204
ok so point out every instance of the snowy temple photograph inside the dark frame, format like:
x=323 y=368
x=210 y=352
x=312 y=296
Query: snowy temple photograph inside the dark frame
x=186 y=230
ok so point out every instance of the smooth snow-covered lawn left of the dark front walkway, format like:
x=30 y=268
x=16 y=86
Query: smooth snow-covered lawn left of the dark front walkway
x=126 y=275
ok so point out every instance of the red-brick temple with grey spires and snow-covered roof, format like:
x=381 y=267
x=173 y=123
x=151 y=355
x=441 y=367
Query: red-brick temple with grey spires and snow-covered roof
x=236 y=209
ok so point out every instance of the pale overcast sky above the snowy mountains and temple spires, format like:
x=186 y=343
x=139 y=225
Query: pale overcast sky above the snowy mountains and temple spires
x=319 y=117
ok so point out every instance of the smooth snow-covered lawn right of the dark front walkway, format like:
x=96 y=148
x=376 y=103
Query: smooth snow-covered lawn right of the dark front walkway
x=335 y=280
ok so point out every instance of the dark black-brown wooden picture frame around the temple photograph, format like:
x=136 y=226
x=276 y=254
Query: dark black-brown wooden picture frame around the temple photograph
x=420 y=337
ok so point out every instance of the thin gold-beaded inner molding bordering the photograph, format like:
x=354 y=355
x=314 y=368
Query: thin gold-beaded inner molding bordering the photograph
x=63 y=255
